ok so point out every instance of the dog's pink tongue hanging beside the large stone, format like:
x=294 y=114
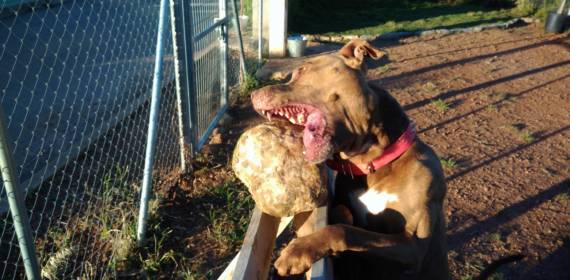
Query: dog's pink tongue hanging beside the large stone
x=313 y=137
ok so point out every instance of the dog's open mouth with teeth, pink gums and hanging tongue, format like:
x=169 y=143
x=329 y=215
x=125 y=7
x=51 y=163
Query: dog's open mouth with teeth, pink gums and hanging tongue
x=316 y=139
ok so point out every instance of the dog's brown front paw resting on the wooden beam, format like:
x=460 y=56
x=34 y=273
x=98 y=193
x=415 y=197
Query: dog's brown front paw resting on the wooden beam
x=299 y=255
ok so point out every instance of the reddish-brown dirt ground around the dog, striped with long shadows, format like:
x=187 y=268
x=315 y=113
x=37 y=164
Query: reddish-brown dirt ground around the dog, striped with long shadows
x=494 y=105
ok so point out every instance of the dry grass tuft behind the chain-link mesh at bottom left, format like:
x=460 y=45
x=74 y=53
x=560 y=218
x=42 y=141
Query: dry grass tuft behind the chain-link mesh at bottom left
x=109 y=219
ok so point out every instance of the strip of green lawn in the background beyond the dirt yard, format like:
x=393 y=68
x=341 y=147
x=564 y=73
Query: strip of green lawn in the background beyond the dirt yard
x=390 y=17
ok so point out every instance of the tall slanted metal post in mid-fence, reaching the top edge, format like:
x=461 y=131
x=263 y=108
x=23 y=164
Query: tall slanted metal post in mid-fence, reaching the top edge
x=153 y=122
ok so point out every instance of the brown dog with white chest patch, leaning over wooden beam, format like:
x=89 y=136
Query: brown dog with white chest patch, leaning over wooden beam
x=389 y=221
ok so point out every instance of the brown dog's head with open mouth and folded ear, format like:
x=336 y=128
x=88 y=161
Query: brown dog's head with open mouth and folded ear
x=329 y=97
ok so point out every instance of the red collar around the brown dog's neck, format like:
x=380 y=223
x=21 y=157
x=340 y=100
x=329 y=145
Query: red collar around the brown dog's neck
x=392 y=152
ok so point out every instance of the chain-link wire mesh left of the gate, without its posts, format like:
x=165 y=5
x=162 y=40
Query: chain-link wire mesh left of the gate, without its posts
x=75 y=81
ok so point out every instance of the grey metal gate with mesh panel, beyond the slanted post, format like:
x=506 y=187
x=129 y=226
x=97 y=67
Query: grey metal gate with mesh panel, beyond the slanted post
x=201 y=31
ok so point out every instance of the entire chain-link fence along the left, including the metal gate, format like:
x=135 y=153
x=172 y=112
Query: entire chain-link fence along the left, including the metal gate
x=76 y=96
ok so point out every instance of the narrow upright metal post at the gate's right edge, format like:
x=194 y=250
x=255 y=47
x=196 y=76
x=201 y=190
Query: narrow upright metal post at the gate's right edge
x=223 y=13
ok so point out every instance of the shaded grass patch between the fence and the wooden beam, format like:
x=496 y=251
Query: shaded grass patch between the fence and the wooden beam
x=221 y=214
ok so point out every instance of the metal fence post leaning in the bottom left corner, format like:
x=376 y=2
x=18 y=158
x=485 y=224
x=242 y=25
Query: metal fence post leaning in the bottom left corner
x=17 y=206
